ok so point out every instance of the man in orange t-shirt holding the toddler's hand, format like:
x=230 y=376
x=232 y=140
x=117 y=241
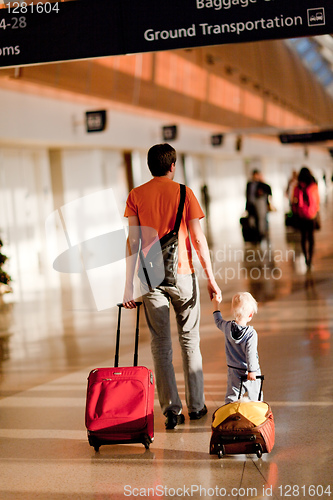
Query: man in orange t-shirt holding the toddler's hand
x=151 y=209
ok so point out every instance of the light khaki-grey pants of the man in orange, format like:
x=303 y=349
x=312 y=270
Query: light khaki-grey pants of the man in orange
x=184 y=298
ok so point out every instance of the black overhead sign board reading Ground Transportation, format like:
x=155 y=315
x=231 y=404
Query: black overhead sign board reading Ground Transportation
x=32 y=33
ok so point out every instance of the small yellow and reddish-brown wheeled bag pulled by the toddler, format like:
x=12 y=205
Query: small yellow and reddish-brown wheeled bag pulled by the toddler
x=243 y=427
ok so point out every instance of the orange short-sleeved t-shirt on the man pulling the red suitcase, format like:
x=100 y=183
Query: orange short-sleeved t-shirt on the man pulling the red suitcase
x=155 y=203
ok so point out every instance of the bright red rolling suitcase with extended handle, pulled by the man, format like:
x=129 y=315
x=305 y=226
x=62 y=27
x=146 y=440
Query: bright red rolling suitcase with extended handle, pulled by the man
x=120 y=400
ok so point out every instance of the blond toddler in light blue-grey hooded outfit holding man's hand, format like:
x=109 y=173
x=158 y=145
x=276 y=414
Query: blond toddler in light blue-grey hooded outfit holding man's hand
x=241 y=342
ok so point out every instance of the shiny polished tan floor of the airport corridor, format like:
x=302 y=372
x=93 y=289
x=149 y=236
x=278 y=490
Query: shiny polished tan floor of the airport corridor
x=44 y=452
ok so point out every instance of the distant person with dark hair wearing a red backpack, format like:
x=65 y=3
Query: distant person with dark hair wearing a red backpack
x=306 y=206
